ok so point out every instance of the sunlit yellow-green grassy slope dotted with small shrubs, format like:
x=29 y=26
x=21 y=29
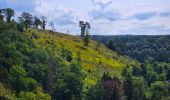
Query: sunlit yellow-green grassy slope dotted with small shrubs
x=96 y=58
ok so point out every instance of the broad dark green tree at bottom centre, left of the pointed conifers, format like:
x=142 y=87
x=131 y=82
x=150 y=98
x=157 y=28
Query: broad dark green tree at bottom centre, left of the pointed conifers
x=68 y=85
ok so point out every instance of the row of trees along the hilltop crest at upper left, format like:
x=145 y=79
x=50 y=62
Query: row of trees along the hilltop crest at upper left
x=24 y=21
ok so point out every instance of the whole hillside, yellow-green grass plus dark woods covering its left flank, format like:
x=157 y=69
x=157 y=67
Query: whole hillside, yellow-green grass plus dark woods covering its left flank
x=40 y=64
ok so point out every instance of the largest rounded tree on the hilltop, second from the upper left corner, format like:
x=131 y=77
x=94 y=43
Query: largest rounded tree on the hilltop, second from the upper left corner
x=26 y=19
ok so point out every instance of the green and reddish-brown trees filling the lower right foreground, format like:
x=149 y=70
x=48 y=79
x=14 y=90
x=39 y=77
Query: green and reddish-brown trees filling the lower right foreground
x=149 y=81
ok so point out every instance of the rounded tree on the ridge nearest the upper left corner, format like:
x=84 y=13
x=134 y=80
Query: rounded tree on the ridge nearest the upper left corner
x=9 y=13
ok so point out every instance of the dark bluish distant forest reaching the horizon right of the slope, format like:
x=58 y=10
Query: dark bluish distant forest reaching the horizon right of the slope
x=140 y=47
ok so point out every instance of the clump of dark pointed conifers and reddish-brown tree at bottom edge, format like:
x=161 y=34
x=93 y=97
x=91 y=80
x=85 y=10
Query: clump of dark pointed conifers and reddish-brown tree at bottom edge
x=106 y=89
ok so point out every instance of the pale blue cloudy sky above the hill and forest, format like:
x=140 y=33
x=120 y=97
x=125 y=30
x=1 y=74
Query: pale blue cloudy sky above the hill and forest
x=107 y=17
